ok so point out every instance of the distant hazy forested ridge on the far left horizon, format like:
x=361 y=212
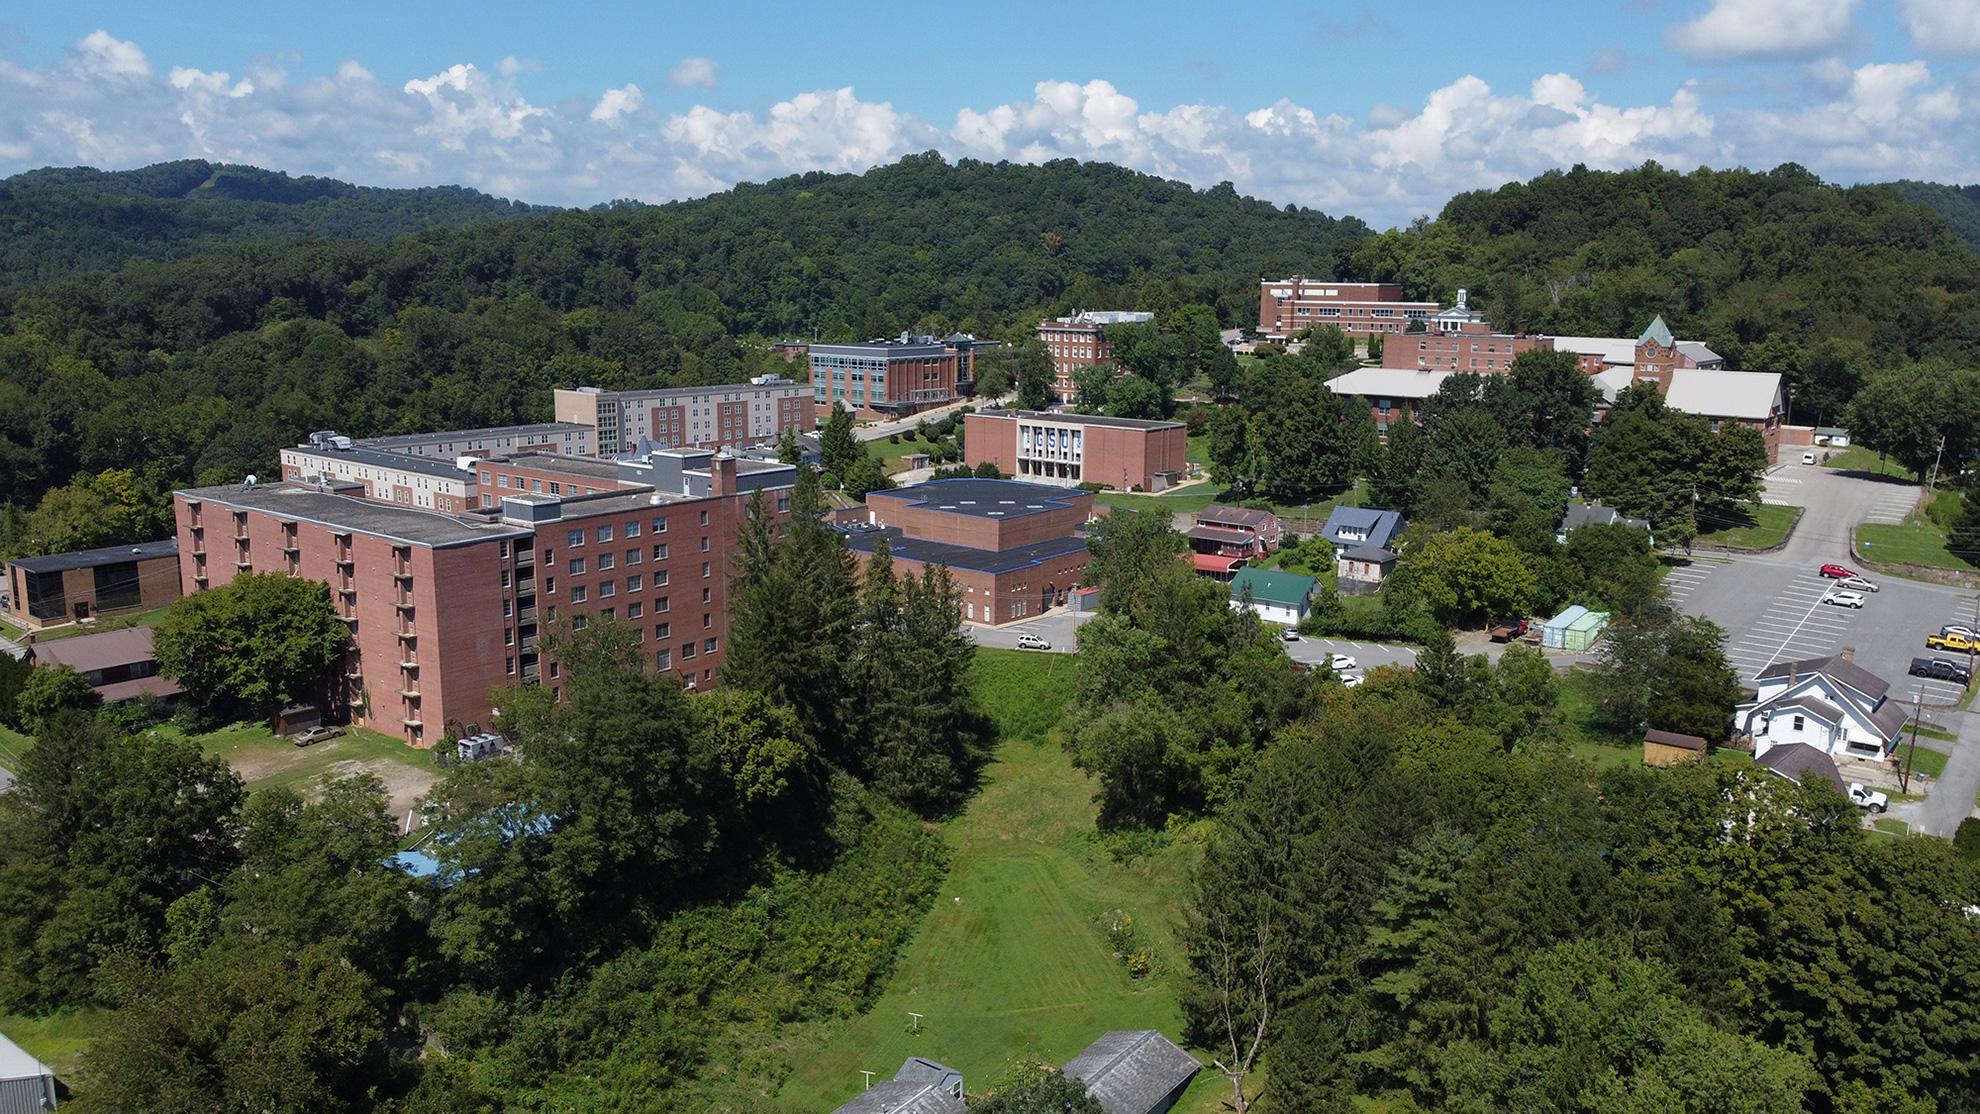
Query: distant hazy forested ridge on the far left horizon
x=76 y=219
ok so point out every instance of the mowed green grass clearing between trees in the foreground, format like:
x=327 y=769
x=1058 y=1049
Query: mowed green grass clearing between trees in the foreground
x=1013 y=965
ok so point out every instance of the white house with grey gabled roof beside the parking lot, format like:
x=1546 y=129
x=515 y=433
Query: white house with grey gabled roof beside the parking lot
x=1829 y=703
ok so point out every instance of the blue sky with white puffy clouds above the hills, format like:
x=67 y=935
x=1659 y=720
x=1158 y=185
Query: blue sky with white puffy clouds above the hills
x=1379 y=112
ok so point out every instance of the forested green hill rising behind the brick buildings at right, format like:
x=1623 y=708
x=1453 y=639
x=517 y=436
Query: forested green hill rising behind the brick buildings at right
x=1761 y=264
